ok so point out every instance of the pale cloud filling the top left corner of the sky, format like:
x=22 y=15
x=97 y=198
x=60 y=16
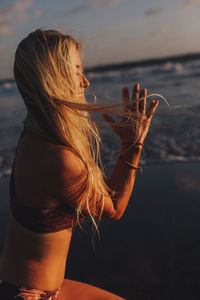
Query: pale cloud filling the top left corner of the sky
x=13 y=14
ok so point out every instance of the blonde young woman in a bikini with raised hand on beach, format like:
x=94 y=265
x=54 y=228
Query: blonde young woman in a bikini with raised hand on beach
x=56 y=181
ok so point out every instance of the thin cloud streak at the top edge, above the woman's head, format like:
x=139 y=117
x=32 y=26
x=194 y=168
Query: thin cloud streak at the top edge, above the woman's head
x=90 y=4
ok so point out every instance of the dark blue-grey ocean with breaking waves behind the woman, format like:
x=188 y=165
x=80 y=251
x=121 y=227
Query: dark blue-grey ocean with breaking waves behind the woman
x=174 y=134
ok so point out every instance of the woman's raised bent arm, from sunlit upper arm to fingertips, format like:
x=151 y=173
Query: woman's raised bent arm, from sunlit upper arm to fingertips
x=70 y=174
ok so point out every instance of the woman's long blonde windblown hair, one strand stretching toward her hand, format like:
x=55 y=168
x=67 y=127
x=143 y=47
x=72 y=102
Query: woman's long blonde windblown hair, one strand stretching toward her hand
x=47 y=82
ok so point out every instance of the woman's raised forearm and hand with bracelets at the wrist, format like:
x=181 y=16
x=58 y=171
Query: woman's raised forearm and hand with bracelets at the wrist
x=122 y=178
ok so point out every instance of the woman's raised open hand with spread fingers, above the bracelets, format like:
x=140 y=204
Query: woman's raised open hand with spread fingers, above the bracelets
x=137 y=130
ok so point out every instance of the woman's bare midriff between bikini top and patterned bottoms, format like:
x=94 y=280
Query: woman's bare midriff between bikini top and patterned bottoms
x=35 y=260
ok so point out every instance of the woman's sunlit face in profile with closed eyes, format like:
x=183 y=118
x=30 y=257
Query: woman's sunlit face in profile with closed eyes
x=82 y=81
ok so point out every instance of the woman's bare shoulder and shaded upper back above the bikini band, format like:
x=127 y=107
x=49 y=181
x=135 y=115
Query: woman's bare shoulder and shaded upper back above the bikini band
x=45 y=171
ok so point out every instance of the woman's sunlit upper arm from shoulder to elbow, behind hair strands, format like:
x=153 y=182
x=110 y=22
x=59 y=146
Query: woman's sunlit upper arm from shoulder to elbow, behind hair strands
x=71 y=184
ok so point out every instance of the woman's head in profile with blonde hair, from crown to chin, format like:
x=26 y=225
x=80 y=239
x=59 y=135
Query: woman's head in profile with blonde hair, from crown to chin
x=56 y=66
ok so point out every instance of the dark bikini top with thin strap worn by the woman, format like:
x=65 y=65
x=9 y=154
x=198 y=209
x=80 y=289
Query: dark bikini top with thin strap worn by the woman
x=37 y=219
